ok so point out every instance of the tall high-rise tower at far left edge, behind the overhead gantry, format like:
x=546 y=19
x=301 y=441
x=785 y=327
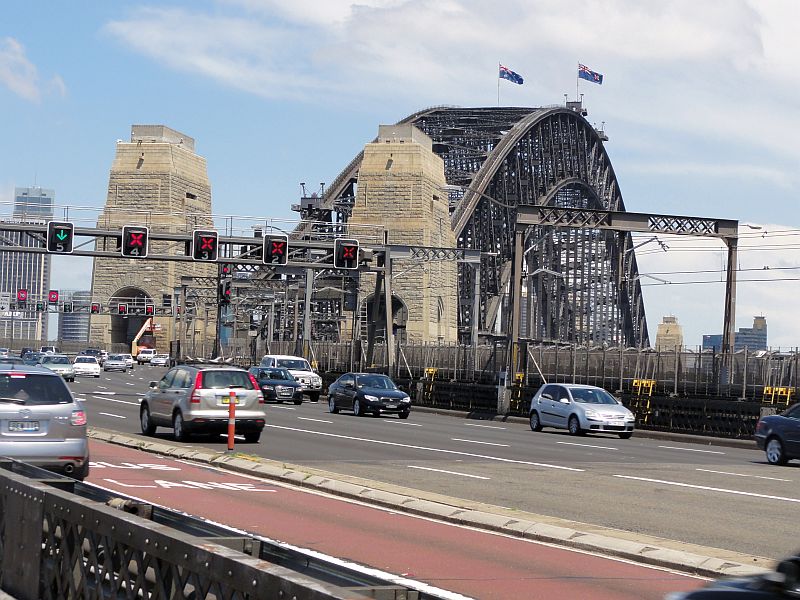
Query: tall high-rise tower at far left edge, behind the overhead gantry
x=23 y=270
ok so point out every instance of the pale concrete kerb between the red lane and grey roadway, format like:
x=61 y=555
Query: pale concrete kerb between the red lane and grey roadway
x=688 y=558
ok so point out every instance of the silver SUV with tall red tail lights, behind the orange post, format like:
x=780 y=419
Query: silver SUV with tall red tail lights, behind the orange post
x=196 y=398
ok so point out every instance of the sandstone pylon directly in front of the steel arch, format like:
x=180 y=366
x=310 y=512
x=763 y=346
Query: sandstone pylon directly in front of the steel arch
x=401 y=189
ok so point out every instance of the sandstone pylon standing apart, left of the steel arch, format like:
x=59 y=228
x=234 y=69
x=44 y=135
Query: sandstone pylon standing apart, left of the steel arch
x=157 y=180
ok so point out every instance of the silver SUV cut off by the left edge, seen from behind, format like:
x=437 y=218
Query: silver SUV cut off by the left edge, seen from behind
x=40 y=421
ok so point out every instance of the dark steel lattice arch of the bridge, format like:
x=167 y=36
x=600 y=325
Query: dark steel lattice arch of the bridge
x=582 y=284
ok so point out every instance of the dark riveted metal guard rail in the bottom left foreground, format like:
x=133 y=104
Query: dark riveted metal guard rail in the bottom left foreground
x=62 y=539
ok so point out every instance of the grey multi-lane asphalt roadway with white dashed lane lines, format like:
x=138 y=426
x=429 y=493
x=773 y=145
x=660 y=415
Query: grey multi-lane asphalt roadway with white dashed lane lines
x=708 y=495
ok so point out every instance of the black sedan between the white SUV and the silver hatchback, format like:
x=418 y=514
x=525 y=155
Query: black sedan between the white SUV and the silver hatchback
x=368 y=393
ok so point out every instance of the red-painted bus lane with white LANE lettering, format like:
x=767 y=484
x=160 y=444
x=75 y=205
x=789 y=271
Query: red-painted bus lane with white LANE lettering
x=467 y=561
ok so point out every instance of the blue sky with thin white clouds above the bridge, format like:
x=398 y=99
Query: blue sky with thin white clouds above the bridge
x=699 y=100
